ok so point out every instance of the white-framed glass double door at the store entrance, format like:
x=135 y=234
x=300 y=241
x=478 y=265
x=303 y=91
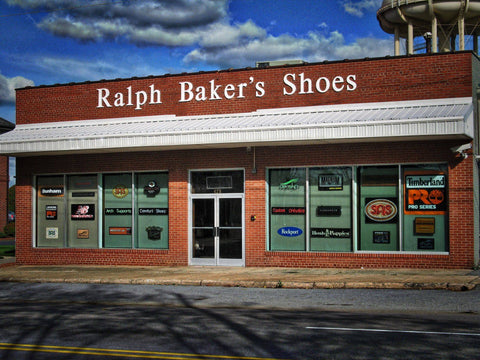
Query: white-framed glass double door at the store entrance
x=217 y=230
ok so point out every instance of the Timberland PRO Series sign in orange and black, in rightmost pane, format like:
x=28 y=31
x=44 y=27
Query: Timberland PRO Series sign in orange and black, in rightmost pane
x=425 y=194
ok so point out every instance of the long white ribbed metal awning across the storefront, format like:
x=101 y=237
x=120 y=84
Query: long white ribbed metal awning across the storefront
x=391 y=121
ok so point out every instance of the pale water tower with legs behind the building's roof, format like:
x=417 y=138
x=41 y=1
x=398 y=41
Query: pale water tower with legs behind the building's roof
x=439 y=22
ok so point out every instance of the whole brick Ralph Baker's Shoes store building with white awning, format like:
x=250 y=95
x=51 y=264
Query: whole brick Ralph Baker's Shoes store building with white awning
x=339 y=164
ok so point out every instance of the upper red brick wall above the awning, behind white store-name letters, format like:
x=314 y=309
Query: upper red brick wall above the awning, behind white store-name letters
x=378 y=80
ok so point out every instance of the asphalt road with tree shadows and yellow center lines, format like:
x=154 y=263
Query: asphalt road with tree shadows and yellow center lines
x=69 y=321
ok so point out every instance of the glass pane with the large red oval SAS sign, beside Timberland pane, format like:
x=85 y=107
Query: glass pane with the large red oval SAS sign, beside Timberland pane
x=378 y=211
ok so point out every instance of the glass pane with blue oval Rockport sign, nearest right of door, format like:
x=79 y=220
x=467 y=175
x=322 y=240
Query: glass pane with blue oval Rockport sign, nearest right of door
x=287 y=209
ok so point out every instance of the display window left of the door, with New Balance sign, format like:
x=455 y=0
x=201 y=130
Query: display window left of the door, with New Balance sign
x=126 y=210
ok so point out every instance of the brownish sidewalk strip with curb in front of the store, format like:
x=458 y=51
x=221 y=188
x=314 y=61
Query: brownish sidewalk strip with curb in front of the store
x=457 y=280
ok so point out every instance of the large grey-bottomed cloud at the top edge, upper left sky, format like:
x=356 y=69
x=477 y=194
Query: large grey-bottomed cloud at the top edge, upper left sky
x=148 y=22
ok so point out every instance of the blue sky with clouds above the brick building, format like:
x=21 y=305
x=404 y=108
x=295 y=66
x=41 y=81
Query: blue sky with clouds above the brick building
x=44 y=42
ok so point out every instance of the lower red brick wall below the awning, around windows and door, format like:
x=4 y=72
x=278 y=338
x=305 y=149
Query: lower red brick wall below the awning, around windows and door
x=178 y=163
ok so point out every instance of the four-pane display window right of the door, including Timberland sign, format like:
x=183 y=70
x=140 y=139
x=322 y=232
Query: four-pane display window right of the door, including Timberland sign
x=397 y=208
